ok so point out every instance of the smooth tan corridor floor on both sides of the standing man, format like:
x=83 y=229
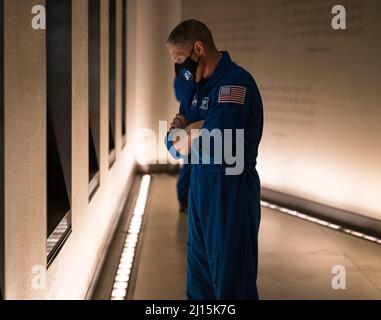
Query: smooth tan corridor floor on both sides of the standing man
x=295 y=261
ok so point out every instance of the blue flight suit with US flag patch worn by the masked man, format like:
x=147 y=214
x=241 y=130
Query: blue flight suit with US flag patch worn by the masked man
x=224 y=210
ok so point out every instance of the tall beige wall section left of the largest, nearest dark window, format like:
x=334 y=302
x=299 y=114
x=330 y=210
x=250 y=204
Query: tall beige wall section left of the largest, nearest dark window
x=25 y=149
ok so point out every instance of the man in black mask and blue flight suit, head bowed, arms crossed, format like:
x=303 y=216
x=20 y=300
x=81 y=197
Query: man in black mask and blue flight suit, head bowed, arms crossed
x=224 y=209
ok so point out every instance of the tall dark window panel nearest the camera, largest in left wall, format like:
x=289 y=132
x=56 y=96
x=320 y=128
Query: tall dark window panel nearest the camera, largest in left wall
x=59 y=99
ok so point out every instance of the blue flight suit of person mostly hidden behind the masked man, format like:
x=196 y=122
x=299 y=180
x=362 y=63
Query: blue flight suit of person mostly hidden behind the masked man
x=183 y=181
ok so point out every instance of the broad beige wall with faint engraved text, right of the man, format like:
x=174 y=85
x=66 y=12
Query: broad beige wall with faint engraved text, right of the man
x=321 y=93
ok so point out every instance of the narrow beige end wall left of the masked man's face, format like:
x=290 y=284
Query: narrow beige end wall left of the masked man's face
x=155 y=72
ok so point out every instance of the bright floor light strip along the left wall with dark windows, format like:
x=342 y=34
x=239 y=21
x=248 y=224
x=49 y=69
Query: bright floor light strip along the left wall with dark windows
x=123 y=273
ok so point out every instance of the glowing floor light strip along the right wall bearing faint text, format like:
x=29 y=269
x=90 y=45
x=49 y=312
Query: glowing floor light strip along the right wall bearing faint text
x=320 y=222
